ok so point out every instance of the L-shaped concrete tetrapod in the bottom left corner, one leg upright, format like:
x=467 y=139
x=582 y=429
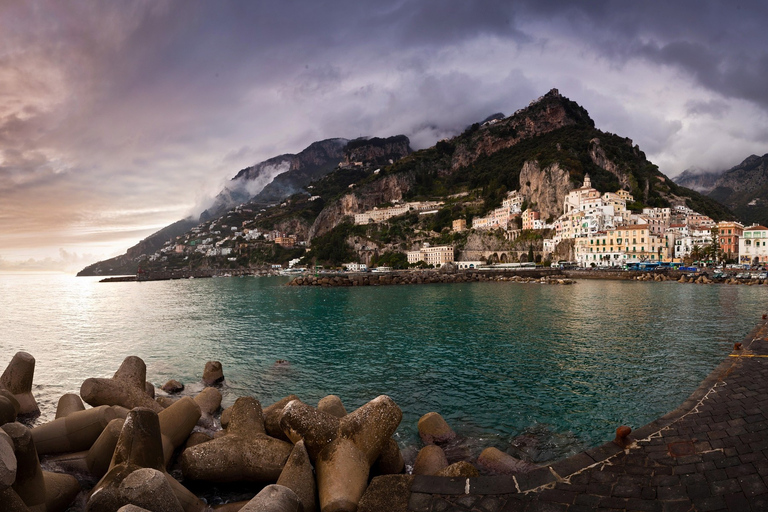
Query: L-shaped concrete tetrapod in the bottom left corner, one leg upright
x=40 y=490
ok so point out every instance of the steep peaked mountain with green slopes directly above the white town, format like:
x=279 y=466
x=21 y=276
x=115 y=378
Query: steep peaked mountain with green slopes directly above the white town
x=543 y=151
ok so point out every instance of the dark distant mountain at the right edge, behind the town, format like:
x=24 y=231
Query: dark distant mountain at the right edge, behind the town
x=742 y=188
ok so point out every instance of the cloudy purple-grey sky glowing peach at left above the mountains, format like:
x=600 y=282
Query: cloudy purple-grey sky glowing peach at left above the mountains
x=119 y=118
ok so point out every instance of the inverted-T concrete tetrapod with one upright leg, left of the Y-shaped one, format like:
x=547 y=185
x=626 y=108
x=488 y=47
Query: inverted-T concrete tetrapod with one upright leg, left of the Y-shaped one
x=245 y=453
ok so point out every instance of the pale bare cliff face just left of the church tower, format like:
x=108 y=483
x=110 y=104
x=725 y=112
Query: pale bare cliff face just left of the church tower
x=545 y=189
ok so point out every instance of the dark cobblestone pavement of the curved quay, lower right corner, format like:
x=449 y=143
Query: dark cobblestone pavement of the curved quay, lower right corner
x=709 y=454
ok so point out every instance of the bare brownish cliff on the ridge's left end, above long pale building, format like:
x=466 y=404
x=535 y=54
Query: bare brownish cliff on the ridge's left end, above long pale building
x=388 y=189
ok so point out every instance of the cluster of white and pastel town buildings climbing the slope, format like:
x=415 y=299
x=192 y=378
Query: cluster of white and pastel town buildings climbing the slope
x=604 y=233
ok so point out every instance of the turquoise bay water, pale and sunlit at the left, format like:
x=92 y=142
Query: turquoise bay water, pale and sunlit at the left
x=565 y=364
